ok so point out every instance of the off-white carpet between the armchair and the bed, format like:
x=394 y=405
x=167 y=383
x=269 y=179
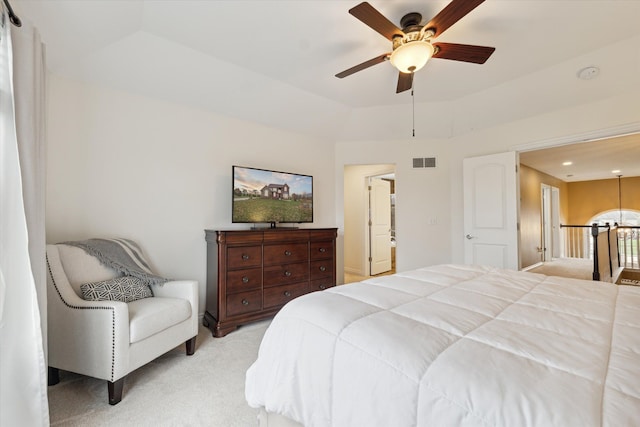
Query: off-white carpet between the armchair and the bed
x=206 y=389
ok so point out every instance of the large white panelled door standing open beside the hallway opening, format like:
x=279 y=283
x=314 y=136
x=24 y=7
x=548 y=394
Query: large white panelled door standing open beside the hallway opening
x=491 y=210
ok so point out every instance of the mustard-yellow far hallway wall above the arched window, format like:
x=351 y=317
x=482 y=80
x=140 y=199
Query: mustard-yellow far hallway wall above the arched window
x=589 y=198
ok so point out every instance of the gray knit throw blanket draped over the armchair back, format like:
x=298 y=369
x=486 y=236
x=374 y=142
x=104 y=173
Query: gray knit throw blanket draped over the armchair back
x=123 y=255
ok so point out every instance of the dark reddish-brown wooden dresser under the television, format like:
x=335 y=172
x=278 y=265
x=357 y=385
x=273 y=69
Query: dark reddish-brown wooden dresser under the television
x=251 y=274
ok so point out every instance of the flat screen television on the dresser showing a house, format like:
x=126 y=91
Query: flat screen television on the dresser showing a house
x=273 y=197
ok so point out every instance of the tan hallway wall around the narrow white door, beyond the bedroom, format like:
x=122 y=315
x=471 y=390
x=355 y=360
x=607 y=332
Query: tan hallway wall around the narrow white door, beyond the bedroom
x=531 y=181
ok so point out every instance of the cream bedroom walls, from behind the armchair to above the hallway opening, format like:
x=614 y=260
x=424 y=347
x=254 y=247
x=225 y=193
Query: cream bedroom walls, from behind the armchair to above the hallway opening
x=123 y=164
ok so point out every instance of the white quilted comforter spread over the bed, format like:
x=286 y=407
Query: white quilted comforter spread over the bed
x=454 y=346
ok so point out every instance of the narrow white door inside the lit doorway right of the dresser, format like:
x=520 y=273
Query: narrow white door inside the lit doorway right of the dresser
x=379 y=225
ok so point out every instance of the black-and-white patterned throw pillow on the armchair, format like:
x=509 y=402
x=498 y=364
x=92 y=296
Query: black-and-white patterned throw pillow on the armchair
x=125 y=289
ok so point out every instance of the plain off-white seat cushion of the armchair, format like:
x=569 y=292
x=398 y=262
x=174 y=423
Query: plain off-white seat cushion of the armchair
x=152 y=315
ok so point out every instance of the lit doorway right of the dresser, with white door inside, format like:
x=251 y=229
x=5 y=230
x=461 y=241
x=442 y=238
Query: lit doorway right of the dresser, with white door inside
x=369 y=238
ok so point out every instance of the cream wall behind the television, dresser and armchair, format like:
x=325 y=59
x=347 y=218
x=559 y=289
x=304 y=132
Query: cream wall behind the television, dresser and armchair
x=120 y=164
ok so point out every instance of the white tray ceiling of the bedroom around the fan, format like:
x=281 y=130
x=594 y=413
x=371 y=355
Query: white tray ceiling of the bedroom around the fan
x=273 y=62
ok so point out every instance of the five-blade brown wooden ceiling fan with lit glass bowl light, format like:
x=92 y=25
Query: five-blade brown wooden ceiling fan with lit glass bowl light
x=413 y=45
